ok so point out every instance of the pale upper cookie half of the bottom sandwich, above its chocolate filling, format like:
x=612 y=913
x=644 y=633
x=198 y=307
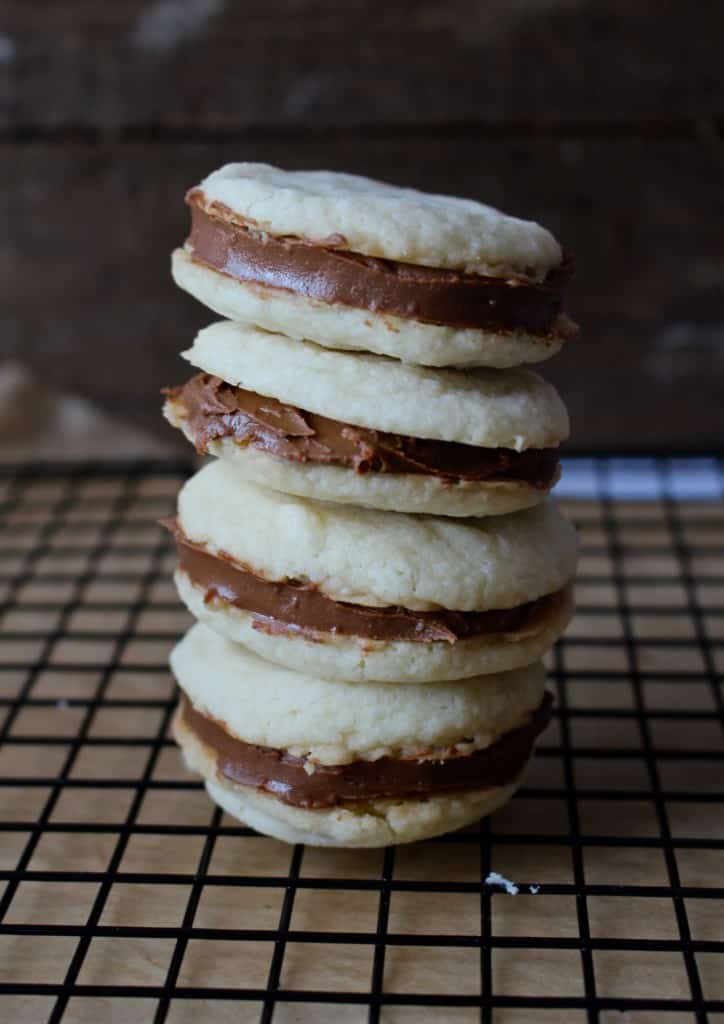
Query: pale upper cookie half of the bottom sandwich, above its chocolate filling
x=333 y=722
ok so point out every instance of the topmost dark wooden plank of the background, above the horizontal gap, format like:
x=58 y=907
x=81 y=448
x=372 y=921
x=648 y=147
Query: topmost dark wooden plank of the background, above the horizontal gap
x=211 y=63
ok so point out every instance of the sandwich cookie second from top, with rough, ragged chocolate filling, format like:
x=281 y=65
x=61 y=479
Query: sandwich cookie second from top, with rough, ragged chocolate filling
x=365 y=431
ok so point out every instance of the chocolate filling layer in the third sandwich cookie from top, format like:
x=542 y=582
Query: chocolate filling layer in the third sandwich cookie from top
x=300 y=608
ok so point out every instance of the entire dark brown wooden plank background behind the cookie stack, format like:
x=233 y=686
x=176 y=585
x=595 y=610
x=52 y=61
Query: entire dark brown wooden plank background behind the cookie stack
x=601 y=118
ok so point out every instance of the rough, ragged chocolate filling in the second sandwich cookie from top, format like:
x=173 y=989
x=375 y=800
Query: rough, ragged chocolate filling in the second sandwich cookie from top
x=215 y=409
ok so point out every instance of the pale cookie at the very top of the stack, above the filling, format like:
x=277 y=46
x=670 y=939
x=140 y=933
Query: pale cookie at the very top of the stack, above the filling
x=366 y=217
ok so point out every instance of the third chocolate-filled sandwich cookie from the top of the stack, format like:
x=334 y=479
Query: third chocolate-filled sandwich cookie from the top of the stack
x=357 y=594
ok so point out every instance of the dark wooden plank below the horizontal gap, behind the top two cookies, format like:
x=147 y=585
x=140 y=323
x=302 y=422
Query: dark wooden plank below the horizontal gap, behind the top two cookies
x=90 y=303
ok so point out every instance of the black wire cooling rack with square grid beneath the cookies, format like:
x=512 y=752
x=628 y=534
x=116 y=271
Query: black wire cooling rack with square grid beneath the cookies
x=129 y=898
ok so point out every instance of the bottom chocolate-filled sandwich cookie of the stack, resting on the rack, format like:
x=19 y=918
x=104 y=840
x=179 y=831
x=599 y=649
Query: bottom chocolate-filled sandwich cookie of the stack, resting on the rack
x=337 y=764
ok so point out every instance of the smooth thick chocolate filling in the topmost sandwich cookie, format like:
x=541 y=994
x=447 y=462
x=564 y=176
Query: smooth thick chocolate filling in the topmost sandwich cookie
x=330 y=274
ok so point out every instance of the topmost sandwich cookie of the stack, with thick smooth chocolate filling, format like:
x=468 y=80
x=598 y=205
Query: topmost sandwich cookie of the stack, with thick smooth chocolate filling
x=358 y=265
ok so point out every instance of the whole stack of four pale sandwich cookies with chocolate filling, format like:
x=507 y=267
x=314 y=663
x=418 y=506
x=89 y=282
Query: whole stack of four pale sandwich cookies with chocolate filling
x=373 y=559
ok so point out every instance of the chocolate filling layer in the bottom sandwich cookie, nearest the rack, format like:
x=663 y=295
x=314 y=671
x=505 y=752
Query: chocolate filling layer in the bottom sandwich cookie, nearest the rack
x=329 y=786
